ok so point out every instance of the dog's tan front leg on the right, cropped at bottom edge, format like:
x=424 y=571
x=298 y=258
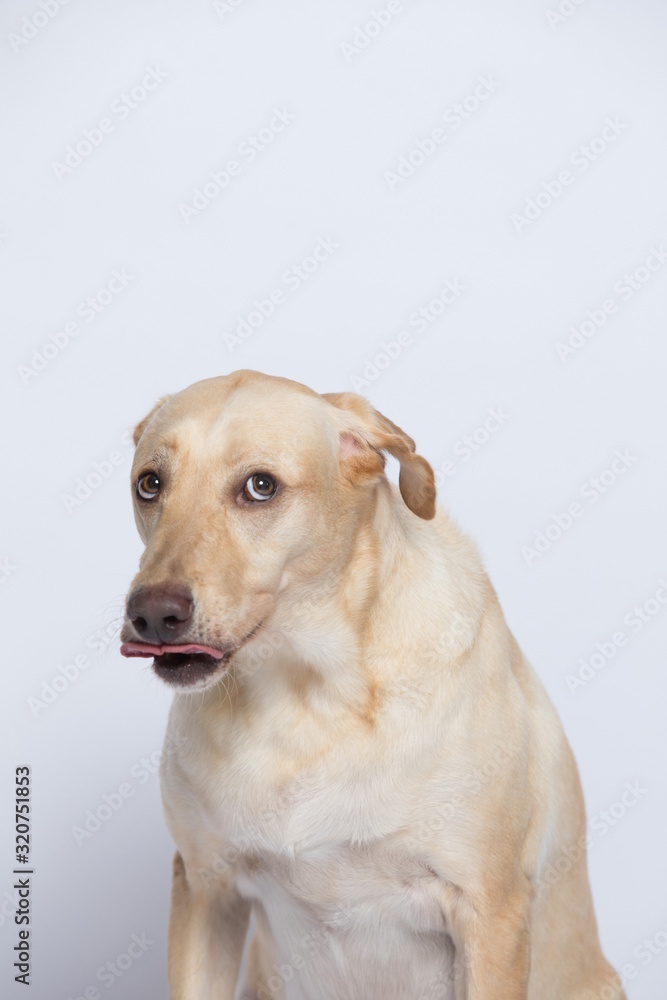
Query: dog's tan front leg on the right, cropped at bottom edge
x=492 y=947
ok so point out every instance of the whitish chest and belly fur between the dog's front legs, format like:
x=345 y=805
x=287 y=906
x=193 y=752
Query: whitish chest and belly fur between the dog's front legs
x=323 y=851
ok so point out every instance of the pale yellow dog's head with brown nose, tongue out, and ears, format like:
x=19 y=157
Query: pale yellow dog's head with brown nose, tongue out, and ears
x=247 y=488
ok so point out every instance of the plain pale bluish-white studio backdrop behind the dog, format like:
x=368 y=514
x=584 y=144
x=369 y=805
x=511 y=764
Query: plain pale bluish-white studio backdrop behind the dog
x=355 y=113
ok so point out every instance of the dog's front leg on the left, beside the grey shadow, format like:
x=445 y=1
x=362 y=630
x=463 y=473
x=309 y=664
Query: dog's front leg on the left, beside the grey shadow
x=207 y=929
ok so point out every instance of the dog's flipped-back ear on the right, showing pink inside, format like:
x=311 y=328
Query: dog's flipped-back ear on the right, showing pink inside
x=365 y=434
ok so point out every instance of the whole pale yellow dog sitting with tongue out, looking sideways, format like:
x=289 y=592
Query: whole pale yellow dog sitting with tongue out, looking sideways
x=357 y=753
